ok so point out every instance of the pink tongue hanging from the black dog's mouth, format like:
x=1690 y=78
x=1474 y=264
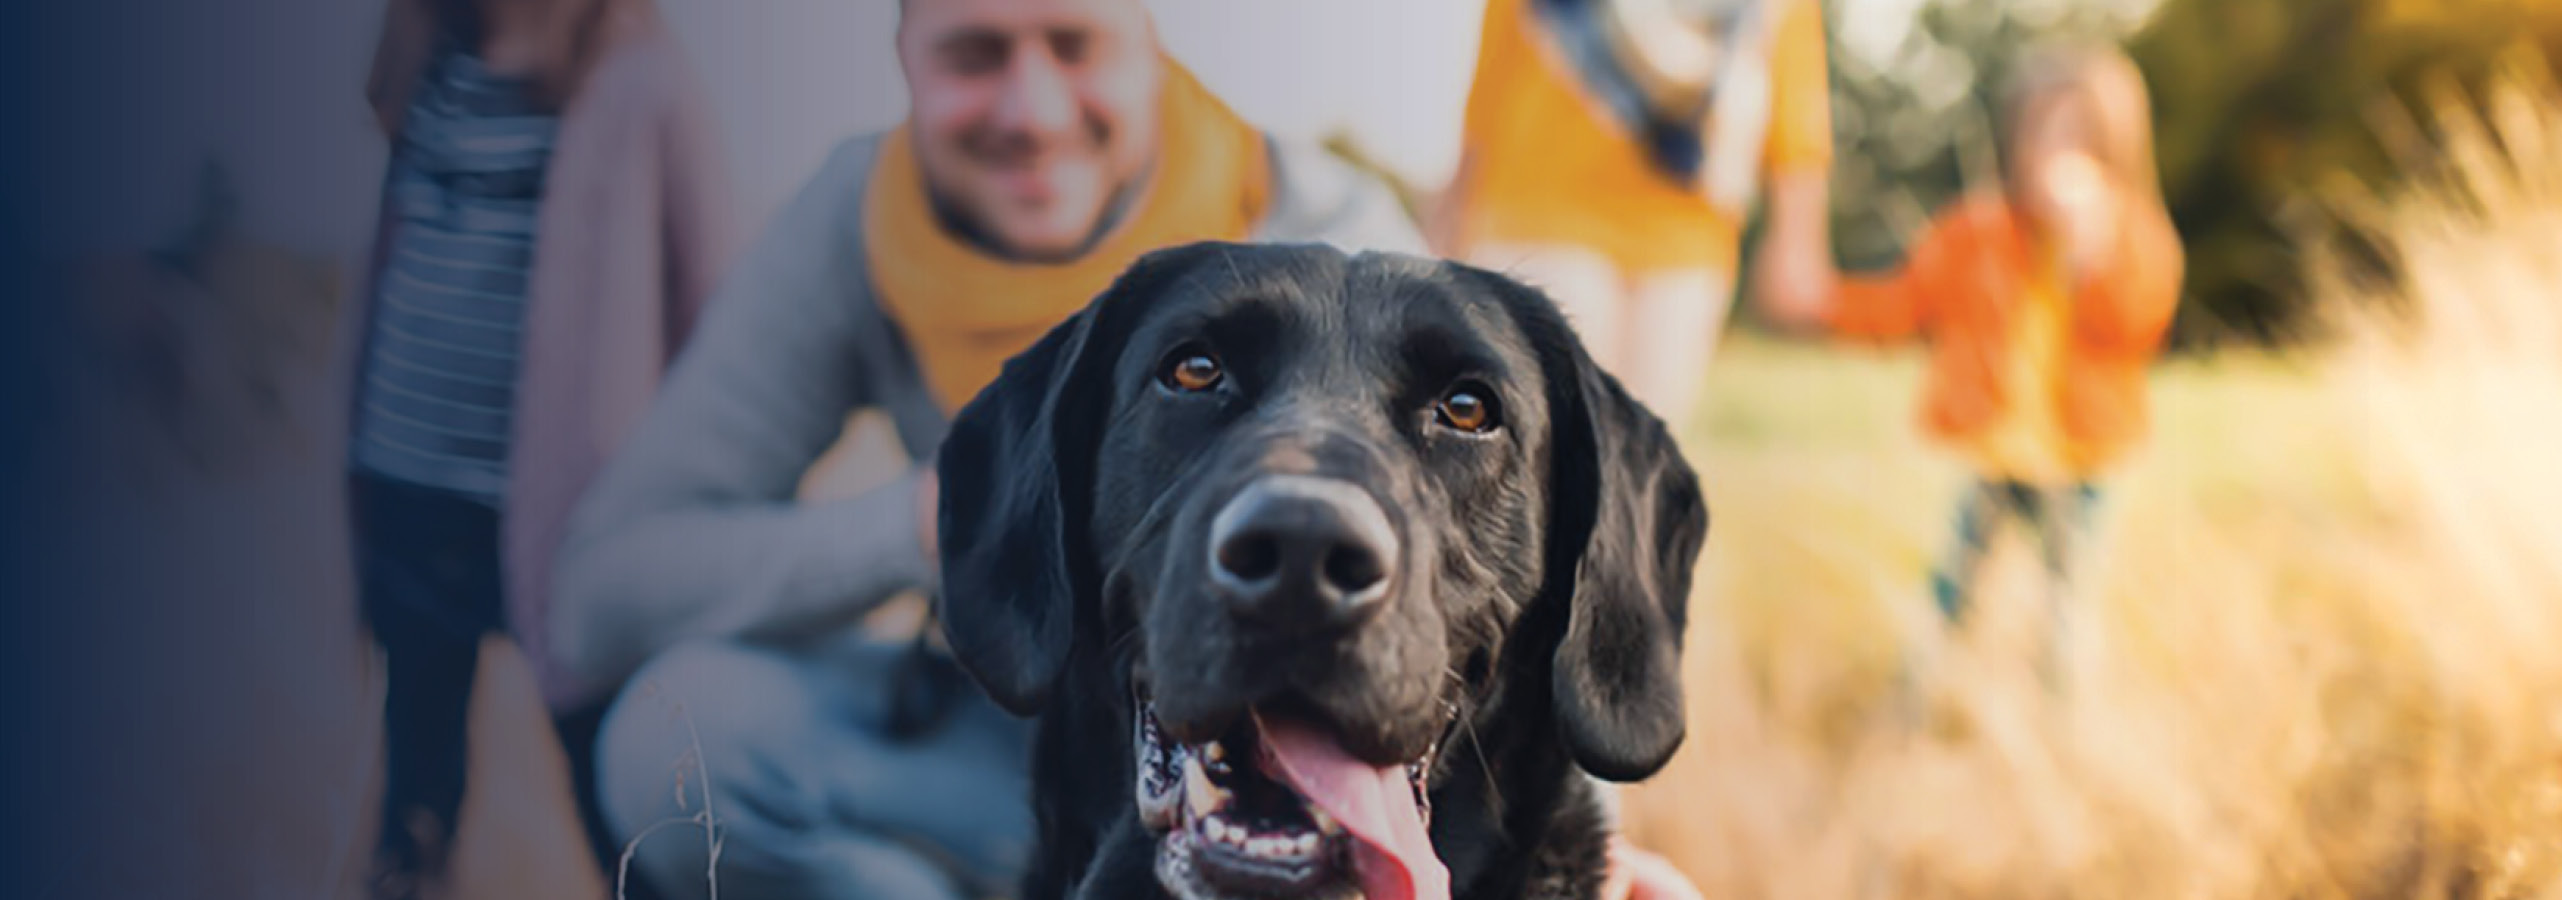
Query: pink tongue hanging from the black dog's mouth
x=1392 y=853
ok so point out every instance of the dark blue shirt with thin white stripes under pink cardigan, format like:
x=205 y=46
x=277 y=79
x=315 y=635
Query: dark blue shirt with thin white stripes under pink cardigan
x=450 y=309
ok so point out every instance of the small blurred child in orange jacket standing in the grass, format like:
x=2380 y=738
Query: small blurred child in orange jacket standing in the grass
x=2043 y=306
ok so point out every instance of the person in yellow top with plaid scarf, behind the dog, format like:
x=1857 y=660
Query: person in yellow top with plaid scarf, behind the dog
x=1613 y=153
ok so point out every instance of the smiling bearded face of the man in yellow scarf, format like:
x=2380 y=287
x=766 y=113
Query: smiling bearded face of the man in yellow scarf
x=1031 y=114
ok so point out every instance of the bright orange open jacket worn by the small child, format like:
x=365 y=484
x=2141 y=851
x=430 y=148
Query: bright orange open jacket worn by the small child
x=1959 y=288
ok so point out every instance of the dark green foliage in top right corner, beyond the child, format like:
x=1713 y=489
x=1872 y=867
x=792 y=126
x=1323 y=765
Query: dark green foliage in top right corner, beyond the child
x=2269 y=109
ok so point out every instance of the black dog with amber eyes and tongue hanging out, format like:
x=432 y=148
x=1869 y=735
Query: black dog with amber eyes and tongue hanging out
x=1357 y=558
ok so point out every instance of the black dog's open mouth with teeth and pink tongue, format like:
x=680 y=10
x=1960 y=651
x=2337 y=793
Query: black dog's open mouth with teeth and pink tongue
x=1280 y=809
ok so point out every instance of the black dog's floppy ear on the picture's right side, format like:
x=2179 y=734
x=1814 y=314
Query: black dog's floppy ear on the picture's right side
x=1626 y=532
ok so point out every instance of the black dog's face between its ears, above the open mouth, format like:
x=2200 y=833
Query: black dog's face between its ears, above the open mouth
x=1321 y=488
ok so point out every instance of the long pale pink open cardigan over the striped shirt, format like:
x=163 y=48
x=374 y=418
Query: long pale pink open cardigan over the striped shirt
x=634 y=229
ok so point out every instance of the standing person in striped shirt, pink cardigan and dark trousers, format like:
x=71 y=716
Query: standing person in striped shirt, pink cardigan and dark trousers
x=552 y=219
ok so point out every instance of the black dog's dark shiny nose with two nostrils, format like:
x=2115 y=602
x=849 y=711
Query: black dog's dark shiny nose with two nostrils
x=1300 y=553
